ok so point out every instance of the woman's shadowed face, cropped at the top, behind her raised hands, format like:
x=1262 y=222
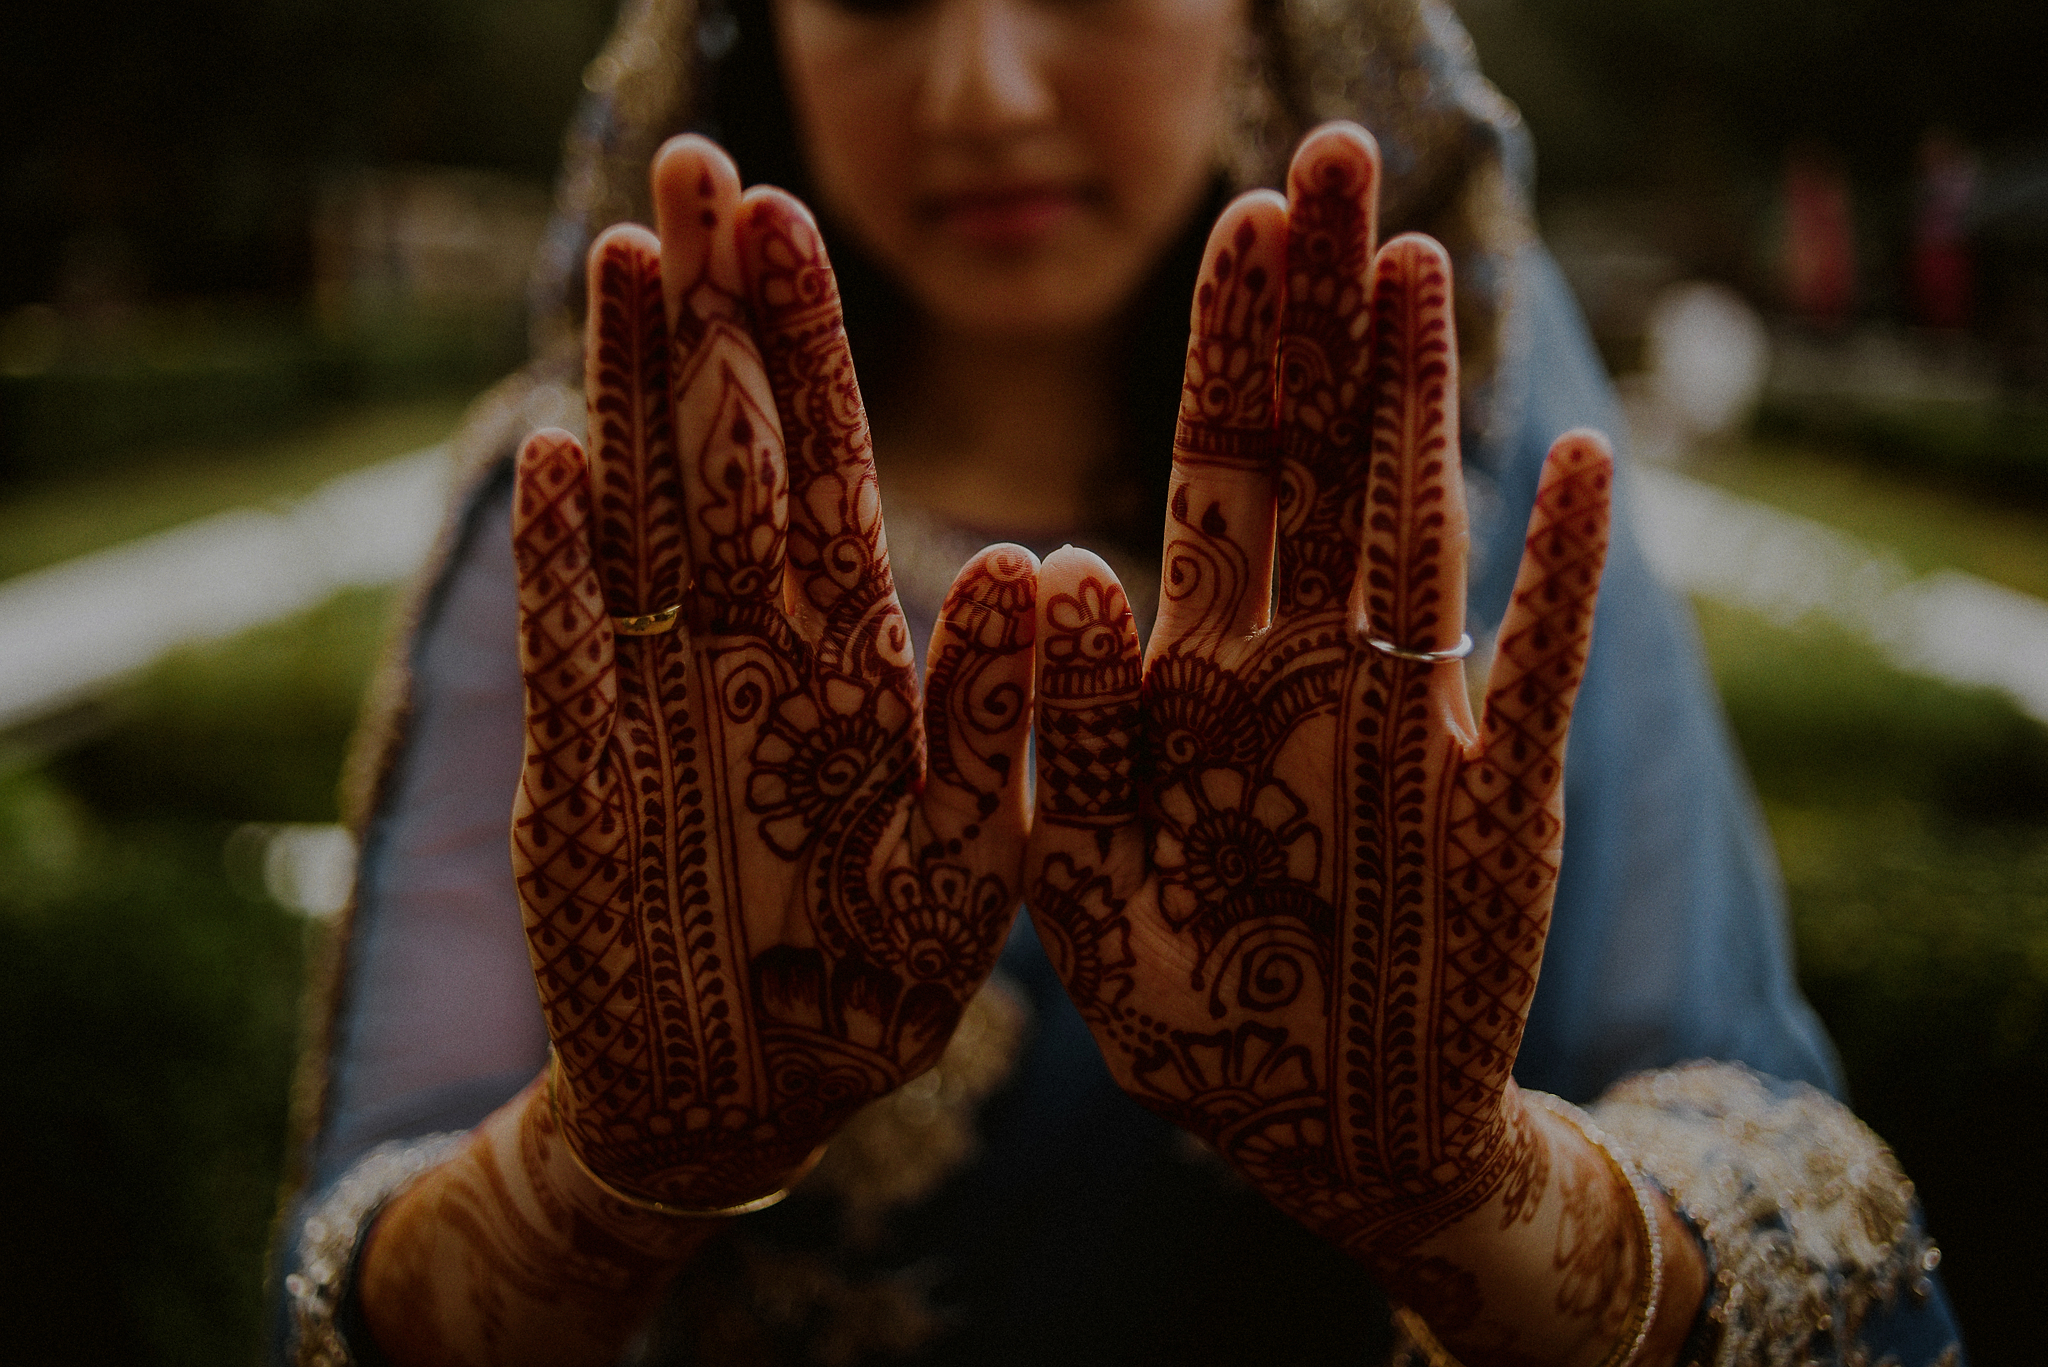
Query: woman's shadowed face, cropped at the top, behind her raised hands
x=1017 y=165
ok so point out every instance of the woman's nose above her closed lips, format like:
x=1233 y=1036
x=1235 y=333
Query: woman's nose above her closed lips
x=986 y=75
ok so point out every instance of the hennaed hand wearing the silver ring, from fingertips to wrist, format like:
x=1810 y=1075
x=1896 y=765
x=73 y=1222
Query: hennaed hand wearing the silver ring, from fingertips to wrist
x=1310 y=923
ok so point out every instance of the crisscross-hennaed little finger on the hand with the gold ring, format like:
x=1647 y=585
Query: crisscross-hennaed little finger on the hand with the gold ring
x=566 y=640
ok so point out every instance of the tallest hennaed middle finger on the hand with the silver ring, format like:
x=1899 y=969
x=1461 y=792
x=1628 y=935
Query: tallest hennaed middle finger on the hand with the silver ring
x=1324 y=366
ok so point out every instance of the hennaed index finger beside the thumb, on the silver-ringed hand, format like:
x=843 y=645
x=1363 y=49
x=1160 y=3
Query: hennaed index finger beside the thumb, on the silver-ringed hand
x=1218 y=573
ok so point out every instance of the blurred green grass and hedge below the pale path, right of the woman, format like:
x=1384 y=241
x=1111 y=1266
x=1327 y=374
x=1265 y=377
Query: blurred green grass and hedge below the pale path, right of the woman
x=1912 y=821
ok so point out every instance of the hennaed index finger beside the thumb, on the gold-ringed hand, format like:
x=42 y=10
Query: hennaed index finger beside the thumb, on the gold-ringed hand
x=837 y=548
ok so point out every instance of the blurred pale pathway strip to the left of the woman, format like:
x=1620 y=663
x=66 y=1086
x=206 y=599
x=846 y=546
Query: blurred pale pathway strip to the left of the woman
x=75 y=628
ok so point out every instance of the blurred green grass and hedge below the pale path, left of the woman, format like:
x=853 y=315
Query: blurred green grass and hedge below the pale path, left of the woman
x=151 y=1005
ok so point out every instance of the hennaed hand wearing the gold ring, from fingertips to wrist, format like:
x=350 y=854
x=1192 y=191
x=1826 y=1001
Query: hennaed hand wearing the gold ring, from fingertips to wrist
x=751 y=899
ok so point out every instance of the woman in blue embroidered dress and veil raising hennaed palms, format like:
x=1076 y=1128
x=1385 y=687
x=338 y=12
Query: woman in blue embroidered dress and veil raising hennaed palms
x=1295 y=897
